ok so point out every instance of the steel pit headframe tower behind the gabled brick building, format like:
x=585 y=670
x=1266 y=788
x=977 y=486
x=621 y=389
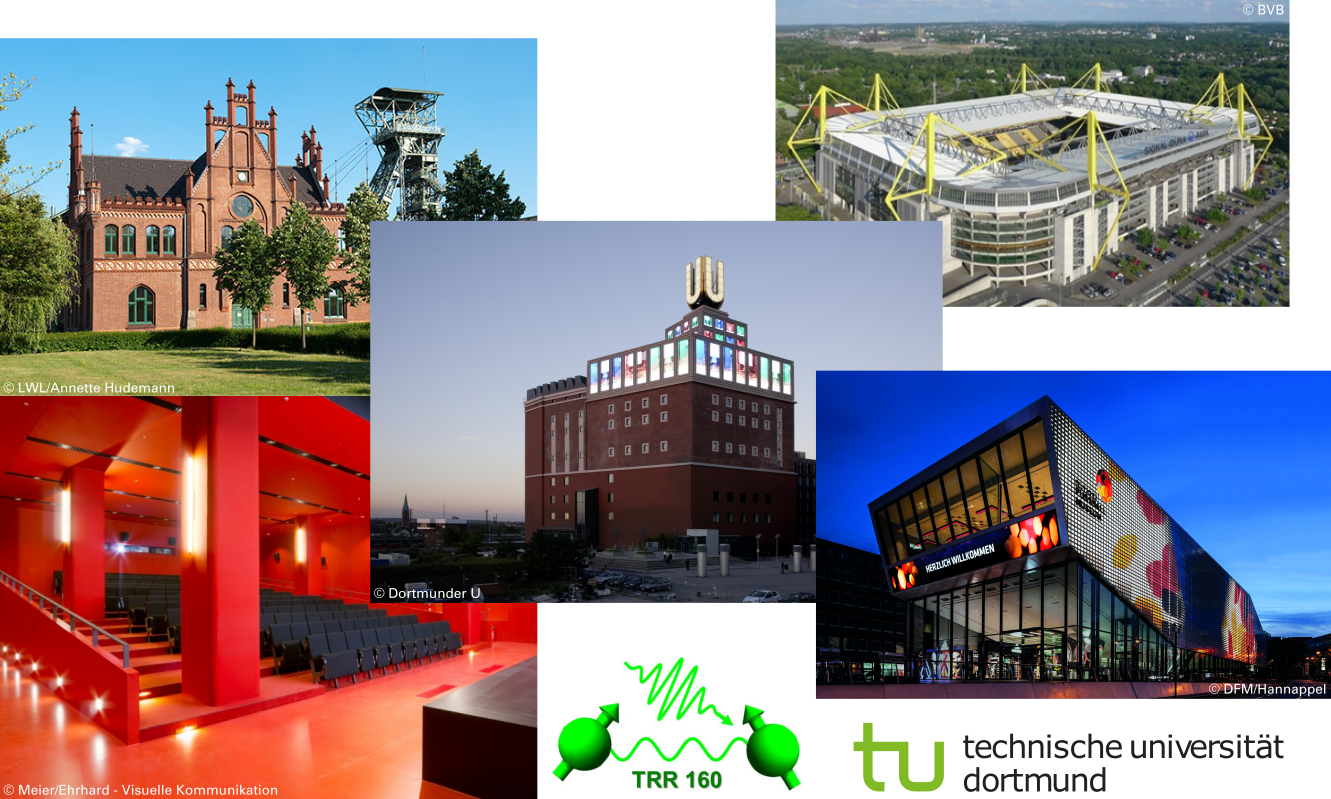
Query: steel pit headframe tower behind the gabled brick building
x=403 y=125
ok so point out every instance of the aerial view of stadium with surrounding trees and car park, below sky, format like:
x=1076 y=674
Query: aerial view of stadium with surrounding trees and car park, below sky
x=1071 y=164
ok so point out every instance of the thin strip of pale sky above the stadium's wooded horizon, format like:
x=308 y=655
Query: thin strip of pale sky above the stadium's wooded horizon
x=798 y=13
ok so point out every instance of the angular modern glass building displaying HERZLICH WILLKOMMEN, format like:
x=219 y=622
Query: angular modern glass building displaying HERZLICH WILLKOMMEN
x=1133 y=584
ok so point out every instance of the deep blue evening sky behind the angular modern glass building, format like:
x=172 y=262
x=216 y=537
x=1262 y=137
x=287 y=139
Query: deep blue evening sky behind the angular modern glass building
x=1240 y=460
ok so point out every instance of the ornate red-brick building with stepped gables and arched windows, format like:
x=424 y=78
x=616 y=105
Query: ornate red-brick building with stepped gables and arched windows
x=148 y=228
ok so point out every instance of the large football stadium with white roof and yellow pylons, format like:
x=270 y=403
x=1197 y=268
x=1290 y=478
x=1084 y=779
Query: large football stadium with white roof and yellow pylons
x=1040 y=183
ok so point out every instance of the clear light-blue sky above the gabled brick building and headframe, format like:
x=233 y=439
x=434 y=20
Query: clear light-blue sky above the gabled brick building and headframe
x=148 y=98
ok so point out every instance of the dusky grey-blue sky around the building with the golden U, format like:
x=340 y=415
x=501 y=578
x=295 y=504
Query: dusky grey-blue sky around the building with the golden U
x=472 y=315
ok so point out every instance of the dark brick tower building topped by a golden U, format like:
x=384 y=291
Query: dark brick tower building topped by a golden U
x=694 y=431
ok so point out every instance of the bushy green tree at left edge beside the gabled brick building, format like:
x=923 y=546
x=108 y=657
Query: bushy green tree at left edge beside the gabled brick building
x=38 y=270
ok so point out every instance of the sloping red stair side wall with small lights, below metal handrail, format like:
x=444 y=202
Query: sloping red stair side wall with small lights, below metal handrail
x=87 y=673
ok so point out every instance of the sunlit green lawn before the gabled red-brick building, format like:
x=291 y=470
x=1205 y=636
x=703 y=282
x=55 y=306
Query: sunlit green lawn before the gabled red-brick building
x=196 y=372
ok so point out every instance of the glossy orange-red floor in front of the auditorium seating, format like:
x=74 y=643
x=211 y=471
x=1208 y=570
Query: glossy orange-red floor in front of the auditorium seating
x=356 y=741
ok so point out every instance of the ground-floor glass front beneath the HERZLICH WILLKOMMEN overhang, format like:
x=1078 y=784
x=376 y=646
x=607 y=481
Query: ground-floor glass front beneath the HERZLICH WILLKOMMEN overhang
x=1048 y=624
